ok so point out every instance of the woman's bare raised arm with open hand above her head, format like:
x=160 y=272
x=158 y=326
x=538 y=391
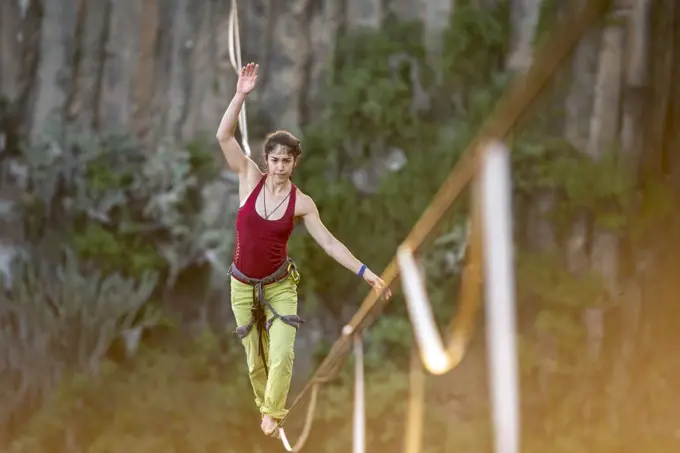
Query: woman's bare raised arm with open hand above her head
x=238 y=162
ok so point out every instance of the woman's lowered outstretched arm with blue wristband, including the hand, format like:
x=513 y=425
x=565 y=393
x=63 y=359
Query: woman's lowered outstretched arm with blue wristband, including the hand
x=332 y=246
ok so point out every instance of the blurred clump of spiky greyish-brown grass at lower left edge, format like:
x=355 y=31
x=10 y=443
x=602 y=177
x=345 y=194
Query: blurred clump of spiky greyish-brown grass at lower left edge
x=54 y=320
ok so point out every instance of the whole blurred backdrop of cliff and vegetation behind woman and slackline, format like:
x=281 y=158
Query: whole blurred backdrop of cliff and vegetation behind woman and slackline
x=115 y=319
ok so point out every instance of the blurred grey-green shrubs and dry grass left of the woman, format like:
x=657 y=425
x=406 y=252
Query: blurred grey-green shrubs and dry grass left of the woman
x=131 y=221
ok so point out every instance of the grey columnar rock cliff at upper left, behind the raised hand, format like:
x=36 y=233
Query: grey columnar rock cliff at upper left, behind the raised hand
x=160 y=68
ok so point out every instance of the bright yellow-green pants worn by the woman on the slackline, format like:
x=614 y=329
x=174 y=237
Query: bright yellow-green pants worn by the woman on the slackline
x=271 y=392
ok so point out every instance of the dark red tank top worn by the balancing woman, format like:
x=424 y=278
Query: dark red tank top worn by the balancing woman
x=261 y=244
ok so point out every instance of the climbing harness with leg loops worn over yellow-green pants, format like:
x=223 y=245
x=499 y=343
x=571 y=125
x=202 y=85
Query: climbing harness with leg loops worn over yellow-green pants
x=258 y=315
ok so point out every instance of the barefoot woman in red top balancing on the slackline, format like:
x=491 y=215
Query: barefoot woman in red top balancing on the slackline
x=264 y=278
